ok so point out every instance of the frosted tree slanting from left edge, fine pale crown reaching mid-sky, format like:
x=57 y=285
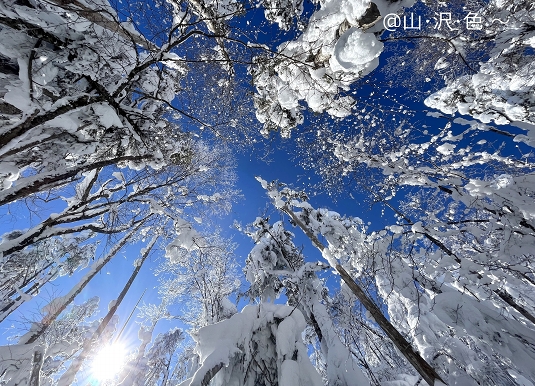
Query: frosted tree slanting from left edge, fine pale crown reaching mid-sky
x=128 y=206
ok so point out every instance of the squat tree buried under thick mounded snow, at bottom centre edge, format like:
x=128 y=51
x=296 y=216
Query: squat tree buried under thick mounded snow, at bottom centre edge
x=262 y=344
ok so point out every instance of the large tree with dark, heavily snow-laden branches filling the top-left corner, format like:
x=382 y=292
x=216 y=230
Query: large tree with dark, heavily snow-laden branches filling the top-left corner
x=87 y=96
